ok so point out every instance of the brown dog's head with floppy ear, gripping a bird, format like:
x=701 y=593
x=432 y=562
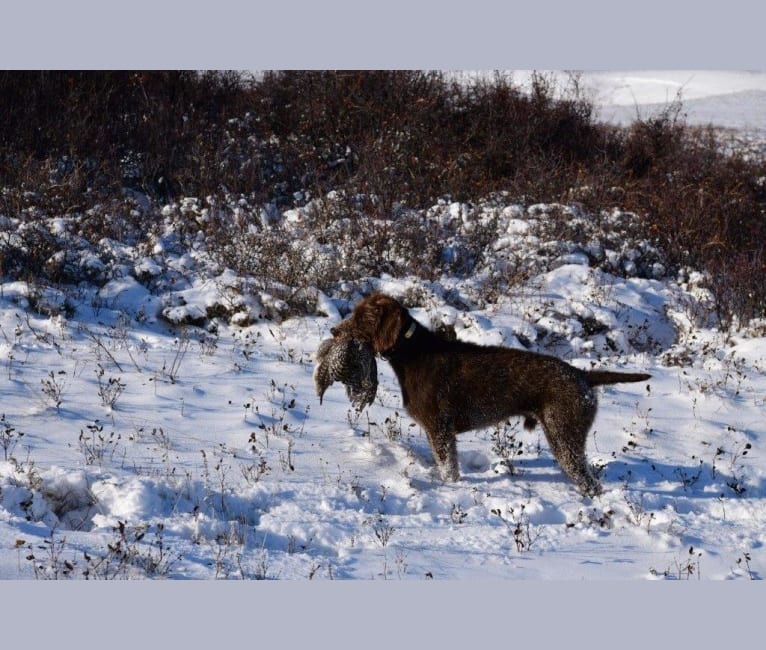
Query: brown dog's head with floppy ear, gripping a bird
x=377 y=320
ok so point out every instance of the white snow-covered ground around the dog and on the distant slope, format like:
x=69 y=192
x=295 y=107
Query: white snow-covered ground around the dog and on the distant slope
x=131 y=447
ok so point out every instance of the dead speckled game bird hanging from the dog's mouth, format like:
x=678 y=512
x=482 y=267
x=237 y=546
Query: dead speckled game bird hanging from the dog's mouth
x=351 y=362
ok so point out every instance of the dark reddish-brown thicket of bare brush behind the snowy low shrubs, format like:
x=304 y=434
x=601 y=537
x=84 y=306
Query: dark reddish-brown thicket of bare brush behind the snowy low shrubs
x=72 y=142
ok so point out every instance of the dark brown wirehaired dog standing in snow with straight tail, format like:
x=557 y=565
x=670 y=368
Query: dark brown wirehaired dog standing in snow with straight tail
x=451 y=386
